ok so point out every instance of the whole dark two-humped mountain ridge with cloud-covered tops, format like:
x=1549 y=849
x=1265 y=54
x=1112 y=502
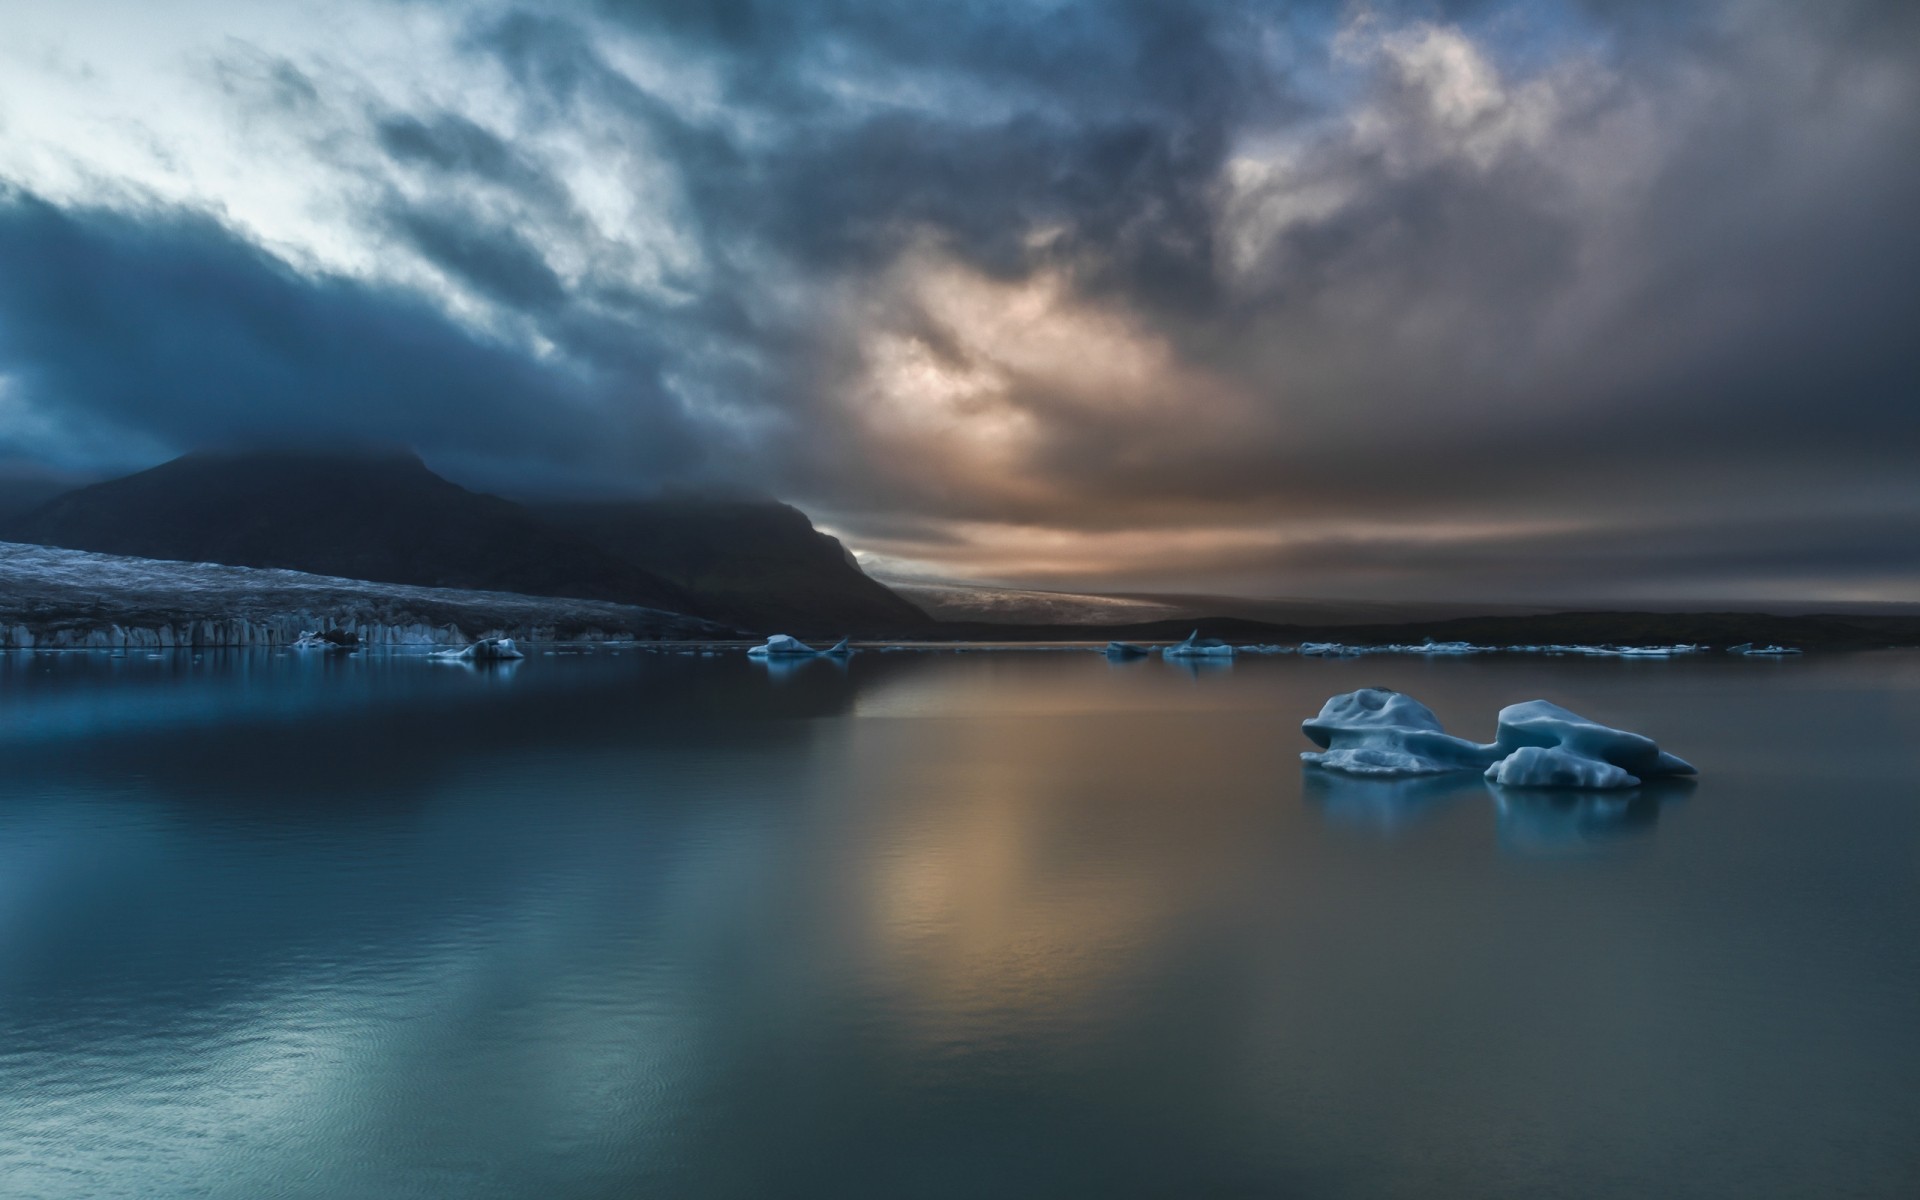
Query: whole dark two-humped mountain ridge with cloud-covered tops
x=383 y=516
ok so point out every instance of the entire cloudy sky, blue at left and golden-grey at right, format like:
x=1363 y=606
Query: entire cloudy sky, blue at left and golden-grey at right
x=1581 y=300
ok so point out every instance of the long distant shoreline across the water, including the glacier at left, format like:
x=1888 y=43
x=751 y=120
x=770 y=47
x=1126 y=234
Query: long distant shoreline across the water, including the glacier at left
x=78 y=600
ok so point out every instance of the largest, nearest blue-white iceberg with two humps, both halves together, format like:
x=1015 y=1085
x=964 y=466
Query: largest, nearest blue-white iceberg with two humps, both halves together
x=1385 y=734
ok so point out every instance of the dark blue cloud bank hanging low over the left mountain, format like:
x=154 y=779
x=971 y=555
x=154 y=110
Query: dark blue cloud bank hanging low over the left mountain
x=172 y=329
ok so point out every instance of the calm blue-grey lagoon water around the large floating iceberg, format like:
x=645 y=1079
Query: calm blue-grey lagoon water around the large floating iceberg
x=944 y=926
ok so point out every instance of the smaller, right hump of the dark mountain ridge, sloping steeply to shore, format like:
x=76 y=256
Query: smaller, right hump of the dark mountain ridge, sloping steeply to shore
x=754 y=562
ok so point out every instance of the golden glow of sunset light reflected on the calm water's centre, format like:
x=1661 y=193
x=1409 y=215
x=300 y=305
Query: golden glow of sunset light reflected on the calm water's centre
x=1034 y=861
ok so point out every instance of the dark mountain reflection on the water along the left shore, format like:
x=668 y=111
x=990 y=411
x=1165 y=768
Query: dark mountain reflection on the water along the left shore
x=373 y=731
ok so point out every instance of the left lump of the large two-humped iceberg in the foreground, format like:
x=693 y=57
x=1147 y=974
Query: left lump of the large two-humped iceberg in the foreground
x=1383 y=732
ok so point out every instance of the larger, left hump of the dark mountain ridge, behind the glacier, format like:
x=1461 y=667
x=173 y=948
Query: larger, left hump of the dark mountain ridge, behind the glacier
x=366 y=516
